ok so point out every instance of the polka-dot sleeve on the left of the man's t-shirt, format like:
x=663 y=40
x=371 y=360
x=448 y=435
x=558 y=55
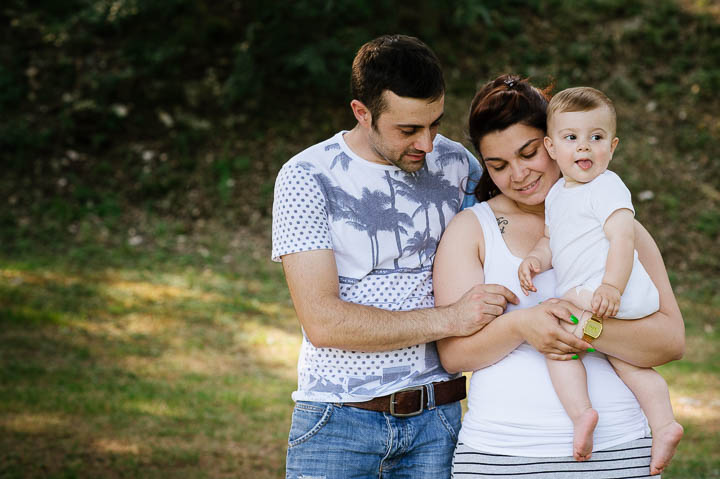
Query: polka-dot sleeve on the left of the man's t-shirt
x=300 y=220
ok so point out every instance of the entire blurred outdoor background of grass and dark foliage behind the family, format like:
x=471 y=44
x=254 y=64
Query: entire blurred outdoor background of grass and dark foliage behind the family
x=139 y=143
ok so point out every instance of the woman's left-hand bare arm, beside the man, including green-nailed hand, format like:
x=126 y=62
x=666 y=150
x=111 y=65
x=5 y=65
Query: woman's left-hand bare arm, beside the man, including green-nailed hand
x=457 y=266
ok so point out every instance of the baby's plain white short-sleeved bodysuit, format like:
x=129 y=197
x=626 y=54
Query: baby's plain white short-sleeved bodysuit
x=575 y=217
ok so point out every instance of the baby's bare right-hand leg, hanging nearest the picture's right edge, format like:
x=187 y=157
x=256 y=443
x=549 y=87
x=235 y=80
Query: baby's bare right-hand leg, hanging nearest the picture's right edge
x=652 y=393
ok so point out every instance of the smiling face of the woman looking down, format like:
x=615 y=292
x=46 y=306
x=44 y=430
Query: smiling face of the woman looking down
x=518 y=163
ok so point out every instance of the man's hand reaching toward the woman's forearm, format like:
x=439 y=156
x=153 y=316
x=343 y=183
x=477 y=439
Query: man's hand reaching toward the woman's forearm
x=478 y=306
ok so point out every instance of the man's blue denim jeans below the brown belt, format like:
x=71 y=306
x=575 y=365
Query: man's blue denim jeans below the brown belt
x=332 y=441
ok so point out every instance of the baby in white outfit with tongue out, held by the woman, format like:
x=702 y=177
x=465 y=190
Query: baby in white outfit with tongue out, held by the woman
x=589 y=241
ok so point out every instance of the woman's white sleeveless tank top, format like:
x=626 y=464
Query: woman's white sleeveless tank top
x=512 y=406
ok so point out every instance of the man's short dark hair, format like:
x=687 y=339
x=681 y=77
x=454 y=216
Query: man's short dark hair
x=399 y=63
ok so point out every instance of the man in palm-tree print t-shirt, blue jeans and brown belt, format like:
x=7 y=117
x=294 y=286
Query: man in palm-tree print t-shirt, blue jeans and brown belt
x=356 y=221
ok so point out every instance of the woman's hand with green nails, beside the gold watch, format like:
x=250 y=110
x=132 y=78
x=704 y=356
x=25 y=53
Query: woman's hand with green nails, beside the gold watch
x=540 y=327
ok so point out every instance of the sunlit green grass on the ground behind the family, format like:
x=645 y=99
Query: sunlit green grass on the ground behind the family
x=179 y=361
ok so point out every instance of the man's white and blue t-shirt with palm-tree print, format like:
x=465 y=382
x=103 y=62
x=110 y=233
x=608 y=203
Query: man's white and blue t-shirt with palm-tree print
x=383 y=225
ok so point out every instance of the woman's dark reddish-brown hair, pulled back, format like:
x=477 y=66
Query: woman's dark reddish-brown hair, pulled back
x=500 y=104
